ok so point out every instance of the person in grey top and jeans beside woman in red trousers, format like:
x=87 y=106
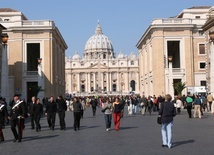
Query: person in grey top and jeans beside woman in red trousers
x=107 y=107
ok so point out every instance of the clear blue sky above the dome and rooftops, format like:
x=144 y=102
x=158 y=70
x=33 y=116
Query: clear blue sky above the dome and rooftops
x=122 y=21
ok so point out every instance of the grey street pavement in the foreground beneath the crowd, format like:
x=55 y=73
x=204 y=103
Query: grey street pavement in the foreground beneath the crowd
x=138 y=135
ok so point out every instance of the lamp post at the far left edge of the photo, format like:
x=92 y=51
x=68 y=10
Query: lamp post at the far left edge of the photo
x=4 y=68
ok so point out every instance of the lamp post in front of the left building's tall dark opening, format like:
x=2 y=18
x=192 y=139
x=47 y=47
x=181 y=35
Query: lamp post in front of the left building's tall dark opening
x=40 y=78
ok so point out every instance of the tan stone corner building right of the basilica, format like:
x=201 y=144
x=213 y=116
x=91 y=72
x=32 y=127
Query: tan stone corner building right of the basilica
x=178 y=42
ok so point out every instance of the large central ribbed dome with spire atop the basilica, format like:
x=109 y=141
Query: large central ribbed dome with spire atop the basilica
x=98 y=44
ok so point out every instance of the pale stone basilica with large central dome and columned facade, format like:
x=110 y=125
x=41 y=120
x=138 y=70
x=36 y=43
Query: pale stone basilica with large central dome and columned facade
x=100 y=70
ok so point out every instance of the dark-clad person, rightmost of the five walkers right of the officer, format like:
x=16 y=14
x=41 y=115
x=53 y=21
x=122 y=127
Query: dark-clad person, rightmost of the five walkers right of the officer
x=77 y=106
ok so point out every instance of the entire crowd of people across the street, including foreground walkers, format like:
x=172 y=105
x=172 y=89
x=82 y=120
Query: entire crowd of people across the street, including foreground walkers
x=112 y=106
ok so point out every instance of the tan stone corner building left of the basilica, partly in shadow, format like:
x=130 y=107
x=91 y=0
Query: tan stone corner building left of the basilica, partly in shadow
x=28 y=41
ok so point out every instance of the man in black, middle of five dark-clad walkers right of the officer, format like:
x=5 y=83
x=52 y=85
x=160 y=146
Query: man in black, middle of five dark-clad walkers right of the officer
x=50 y=112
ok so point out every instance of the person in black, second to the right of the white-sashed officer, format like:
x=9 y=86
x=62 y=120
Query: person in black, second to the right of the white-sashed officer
x=37 y=112
